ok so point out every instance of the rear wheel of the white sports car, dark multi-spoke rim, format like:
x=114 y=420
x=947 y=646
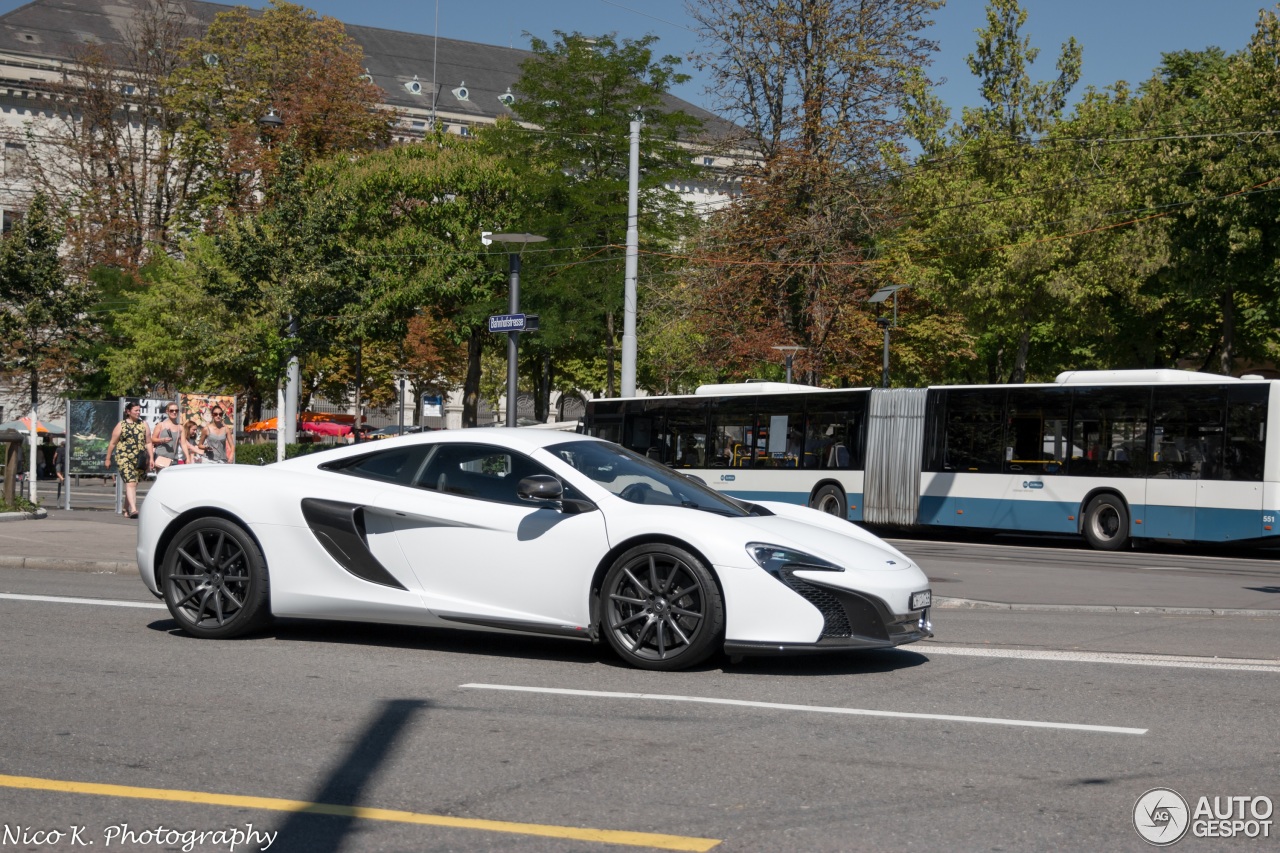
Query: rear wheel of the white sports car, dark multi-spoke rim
x=214 y=580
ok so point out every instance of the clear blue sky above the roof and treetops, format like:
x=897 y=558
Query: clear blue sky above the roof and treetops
x=1122 y=39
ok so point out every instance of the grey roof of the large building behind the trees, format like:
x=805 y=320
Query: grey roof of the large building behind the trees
x=54 y=30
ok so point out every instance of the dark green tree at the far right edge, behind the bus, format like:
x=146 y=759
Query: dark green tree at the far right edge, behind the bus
x=1219 y=150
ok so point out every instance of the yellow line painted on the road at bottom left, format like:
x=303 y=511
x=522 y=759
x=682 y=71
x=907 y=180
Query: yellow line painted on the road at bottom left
x=275 y=805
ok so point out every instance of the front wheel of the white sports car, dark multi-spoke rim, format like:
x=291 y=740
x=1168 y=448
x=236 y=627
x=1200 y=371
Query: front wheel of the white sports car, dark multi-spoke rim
x=661 y=609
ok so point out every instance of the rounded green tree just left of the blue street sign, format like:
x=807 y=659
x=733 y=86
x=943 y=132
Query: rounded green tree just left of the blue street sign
x=396 y=236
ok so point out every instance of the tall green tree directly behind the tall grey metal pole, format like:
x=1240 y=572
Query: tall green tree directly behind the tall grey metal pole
x=582 y=94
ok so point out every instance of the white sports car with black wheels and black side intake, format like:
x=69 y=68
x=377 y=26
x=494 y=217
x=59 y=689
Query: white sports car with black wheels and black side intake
x=525 y=531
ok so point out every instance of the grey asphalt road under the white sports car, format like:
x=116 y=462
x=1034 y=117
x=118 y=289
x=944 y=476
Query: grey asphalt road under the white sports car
x=1014 y=731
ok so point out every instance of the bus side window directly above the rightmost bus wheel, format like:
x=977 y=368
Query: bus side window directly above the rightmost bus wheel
x=1110 y=426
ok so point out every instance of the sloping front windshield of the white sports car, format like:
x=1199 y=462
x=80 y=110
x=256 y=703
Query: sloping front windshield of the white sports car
x=642 y=481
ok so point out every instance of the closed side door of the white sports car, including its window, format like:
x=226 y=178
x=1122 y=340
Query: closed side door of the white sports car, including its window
x=486 y=556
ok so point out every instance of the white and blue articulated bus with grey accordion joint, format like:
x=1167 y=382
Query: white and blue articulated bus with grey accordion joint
x=1110 y=455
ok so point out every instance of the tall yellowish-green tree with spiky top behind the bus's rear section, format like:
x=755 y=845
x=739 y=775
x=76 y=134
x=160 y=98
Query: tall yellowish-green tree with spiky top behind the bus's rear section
x=998 y=197
